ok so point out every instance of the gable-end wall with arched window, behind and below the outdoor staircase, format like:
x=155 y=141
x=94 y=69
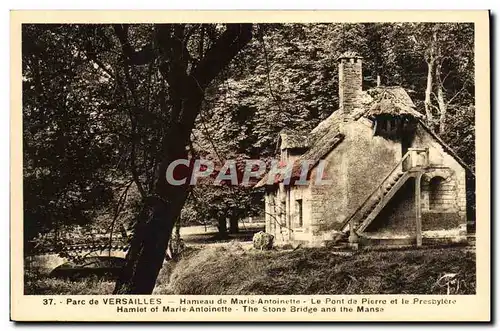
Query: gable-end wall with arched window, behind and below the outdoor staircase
x=442 y=207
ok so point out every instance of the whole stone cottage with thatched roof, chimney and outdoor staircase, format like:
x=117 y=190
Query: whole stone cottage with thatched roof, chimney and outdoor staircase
x=391 y=179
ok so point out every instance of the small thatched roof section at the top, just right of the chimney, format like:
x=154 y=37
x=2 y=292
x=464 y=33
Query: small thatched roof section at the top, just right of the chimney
x=392 y=101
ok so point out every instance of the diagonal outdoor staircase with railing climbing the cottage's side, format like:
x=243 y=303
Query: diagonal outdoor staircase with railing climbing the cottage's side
x=411 y=165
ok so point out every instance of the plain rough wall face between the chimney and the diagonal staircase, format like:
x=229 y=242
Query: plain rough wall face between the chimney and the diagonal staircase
x=356 y=167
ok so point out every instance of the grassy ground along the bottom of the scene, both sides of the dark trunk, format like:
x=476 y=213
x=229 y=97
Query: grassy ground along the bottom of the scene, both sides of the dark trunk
x=237 y=269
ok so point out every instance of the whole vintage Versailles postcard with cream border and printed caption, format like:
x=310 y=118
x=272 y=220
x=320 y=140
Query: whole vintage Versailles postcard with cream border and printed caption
x=250 y=166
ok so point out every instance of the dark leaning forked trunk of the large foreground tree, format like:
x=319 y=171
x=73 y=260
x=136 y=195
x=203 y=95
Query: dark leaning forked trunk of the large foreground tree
x=156 y=221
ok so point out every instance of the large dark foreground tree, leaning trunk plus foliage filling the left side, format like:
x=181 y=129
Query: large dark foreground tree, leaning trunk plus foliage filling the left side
x=129 y=94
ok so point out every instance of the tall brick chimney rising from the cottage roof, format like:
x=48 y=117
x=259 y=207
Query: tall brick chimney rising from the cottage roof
x=350 y=82
